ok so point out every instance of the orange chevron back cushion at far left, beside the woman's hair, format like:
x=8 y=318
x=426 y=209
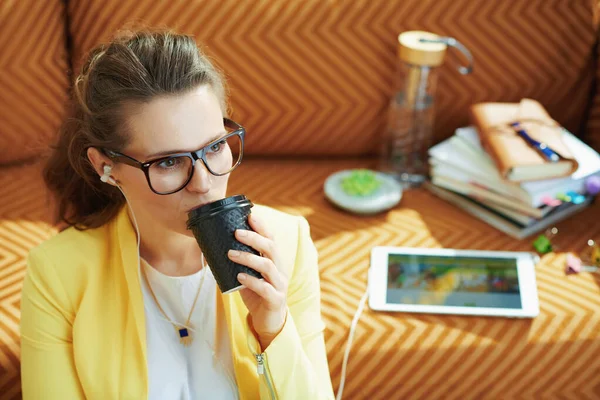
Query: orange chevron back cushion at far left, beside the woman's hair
x=33 y=76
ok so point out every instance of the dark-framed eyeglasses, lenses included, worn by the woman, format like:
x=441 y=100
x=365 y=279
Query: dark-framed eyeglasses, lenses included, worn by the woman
x=171 y=173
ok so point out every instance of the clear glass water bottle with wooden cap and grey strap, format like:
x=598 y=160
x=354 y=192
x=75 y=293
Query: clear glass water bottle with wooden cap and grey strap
x=409 y=128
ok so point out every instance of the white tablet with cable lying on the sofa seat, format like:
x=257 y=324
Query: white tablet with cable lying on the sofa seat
x=442 y=281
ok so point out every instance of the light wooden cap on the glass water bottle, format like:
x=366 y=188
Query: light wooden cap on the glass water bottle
x=415 y=52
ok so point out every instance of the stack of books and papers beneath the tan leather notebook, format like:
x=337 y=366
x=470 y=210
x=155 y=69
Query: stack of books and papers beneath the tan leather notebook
x=465 y=174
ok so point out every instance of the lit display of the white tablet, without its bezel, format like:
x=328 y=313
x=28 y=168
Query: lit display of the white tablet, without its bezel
x=453 y=281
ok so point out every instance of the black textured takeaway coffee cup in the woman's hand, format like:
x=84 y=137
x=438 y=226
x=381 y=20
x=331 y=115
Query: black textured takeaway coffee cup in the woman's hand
x=213 y=226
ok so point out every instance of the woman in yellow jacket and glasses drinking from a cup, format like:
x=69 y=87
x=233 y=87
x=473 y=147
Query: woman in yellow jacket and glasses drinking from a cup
x=101 y=312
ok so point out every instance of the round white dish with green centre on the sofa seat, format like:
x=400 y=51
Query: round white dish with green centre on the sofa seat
x=362 y=191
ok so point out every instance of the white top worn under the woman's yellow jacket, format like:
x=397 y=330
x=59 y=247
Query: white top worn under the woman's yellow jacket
x=174 y=370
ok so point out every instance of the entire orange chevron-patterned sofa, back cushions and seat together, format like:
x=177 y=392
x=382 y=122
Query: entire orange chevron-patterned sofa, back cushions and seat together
x=310 y=80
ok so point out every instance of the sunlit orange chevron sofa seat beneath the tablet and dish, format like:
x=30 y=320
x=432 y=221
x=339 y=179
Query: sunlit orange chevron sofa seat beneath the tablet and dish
x=394 y=356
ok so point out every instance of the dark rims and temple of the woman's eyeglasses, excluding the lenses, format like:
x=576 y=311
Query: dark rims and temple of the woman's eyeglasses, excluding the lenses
x=200 y=154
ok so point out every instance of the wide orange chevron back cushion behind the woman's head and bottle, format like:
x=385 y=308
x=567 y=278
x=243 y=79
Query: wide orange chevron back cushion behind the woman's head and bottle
x=314 y=76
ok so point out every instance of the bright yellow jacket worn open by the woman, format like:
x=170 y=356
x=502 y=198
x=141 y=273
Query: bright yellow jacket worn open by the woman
x=83 y=332
